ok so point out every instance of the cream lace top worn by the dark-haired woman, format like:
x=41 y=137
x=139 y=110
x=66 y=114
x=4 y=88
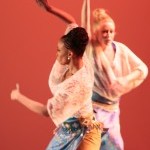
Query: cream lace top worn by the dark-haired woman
x=72 y=97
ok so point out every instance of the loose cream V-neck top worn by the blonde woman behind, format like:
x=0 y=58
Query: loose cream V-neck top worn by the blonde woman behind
x=125 y=61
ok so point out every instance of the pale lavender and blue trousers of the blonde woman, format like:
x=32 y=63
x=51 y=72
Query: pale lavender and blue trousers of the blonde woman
x=112 y=139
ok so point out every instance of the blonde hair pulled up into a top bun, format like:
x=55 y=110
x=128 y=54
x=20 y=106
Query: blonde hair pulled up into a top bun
x=100 y=15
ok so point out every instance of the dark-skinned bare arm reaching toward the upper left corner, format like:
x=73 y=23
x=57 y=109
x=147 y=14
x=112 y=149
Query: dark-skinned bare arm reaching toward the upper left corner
x=57 y=12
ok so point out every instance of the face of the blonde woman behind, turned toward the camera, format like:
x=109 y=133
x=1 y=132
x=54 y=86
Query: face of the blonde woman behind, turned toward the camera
x=106 y=32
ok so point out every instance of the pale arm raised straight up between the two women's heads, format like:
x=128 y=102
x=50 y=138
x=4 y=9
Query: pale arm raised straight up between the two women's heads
x=85 y=16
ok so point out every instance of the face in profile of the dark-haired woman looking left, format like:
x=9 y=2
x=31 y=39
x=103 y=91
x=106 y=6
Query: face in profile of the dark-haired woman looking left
x=62 y=53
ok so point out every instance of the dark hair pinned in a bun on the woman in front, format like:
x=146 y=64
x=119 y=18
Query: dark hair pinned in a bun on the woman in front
x=76 y=40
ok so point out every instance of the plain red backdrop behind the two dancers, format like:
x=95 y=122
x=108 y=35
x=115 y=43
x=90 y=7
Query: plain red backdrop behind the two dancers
x=28 y=39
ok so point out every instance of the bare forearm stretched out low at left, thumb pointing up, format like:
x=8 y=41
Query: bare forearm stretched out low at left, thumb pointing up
x=32 y=105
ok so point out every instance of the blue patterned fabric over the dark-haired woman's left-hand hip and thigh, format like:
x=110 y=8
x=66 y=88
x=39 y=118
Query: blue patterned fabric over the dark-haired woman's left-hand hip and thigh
x=68 y=136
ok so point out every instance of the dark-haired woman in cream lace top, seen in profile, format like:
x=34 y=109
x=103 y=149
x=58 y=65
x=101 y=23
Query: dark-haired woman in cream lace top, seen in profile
x=70 y=108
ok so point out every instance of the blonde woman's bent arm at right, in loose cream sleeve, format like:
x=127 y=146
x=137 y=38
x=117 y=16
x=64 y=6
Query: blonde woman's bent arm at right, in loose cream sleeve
x=135 y=77
